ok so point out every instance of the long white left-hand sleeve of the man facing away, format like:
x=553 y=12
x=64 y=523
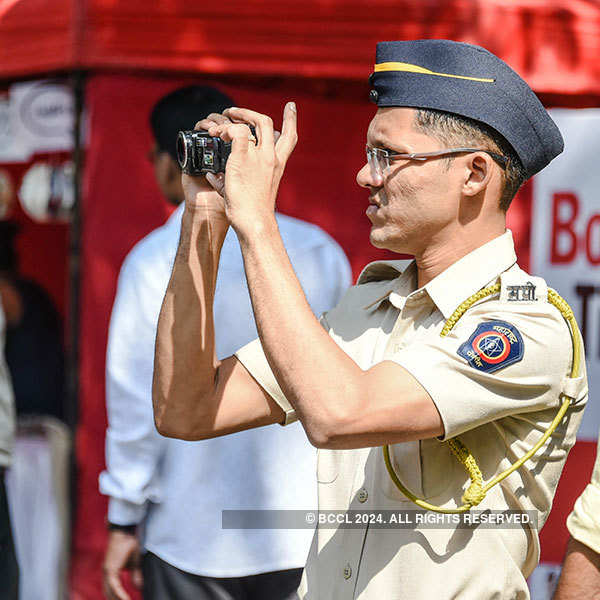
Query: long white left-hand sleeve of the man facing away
x=133 y=446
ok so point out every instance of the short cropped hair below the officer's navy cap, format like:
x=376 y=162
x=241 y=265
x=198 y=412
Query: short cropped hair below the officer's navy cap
x=456 y=130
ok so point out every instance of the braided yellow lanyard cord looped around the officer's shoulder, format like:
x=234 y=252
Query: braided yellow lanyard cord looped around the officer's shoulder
x=476 y=491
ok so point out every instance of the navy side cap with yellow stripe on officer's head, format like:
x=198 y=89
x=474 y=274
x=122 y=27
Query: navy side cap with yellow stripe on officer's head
x=470 y=81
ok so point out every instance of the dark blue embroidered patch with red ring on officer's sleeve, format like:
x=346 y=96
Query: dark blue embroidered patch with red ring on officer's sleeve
x=492 y=346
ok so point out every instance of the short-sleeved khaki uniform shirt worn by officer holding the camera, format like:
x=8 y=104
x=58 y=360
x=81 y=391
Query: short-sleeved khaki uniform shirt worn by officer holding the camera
x=499 y=411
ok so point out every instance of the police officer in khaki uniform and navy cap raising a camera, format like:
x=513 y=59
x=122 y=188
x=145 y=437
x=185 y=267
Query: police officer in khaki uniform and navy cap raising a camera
x=460 y=343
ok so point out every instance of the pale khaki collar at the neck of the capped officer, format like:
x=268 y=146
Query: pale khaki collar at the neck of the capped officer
x=471 y=273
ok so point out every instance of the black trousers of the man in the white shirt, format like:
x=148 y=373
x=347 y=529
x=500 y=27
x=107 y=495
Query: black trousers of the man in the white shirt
x=165 y=582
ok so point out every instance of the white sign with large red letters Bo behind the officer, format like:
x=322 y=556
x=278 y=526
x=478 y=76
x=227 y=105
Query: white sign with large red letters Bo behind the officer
x=565 y=244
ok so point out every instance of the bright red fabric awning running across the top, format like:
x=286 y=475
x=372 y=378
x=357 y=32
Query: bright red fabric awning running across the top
x=553 y=44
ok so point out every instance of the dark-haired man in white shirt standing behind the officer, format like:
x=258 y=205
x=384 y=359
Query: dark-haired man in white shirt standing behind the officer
x=177 y=489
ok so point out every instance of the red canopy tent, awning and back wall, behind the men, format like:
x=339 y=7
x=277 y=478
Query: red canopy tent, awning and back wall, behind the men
x=263 y=52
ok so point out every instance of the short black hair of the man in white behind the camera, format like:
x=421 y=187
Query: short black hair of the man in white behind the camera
x=181 y=110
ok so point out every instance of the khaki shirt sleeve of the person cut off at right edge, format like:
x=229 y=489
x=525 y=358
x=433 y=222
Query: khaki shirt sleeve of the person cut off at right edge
x=584 y=522
